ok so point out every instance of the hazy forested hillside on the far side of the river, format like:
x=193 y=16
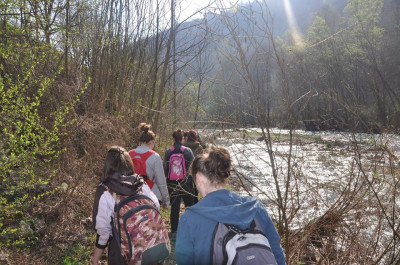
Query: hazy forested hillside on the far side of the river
x=329 y=60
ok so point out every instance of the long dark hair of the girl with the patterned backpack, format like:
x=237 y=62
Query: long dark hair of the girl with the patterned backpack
x=117 y=161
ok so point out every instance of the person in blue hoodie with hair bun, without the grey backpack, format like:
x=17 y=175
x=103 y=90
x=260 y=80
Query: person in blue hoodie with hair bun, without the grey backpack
x=211 y=171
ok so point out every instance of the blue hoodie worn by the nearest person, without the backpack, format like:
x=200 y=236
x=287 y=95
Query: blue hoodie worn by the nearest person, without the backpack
x=196 y=226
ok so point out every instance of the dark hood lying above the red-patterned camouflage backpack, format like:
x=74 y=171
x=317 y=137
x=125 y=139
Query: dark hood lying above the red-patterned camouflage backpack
x=124 y=185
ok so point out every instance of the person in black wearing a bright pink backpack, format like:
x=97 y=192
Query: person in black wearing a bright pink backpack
x=177 y=161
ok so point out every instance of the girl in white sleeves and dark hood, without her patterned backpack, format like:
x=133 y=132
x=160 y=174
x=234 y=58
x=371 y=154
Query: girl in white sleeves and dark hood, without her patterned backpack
x=118 y=179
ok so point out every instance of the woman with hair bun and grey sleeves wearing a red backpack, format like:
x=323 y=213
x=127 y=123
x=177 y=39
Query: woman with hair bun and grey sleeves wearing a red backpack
x=148 y=164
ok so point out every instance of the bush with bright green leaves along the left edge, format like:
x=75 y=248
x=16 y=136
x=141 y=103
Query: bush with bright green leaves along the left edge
x=29 y=140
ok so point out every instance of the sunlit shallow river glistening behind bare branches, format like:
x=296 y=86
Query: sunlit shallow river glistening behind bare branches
x=356 y=174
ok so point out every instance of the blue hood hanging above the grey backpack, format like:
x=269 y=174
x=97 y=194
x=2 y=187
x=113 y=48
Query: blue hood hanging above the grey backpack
x=227 y=207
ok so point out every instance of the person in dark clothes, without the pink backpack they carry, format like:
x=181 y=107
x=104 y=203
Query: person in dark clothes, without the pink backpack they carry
x=178 y=189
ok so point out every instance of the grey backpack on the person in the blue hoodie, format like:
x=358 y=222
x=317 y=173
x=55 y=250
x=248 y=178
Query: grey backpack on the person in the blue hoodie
x=232 y=245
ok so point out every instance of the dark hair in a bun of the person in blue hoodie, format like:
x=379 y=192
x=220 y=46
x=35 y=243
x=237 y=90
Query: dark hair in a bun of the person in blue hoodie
x=215 y=164
